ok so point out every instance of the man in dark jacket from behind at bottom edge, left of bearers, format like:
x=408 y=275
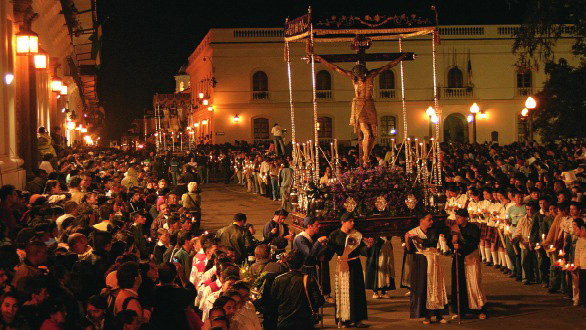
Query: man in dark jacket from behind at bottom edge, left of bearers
x=296 y=295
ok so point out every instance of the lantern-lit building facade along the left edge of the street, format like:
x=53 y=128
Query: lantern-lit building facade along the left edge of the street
x=29 y=97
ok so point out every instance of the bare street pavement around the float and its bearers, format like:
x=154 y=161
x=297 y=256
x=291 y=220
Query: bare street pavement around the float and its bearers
x=510 y=304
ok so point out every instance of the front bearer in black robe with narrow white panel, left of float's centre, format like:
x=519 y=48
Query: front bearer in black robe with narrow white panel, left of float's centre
x=348 y=244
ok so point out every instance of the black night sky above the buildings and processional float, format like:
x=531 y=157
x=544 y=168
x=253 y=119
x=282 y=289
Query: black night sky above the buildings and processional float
x=146 y=41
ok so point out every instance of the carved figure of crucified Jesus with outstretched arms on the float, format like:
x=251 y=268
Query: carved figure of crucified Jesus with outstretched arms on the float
x=363 y=116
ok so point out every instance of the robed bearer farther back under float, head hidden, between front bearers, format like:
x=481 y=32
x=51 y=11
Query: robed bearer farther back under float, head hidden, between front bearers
x=380 y=268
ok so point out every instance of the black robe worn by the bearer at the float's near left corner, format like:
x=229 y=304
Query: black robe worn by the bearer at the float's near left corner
x=358 y=308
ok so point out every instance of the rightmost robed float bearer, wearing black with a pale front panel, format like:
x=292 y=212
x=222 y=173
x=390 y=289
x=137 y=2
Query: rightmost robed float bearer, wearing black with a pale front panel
x=467 y=290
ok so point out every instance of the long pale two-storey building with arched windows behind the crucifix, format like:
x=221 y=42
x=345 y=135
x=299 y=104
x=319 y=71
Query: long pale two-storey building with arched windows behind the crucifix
x=474 y=65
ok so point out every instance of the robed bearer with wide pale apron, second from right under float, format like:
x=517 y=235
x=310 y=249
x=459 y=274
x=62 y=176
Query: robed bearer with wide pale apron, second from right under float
x=428 y=291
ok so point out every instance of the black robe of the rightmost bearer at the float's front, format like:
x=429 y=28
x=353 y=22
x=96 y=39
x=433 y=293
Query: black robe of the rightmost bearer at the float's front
x=468 y=241
